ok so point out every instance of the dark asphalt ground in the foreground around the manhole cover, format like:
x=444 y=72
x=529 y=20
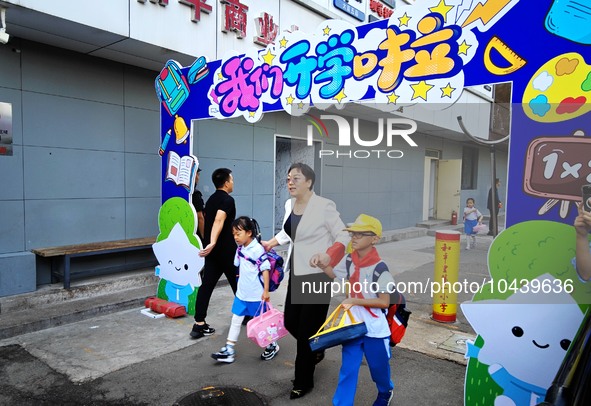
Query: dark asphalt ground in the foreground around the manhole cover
x=419 y=380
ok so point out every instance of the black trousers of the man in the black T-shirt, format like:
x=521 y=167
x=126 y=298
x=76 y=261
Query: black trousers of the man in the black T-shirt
x=212 y=272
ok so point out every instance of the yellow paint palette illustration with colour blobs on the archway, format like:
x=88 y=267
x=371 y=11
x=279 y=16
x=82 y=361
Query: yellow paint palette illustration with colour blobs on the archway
x=560 y=90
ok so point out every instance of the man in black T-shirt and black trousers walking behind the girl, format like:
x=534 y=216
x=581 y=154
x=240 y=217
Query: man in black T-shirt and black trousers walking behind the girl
x=220 y=247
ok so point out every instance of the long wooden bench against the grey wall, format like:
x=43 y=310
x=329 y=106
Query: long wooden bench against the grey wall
x=67 y=252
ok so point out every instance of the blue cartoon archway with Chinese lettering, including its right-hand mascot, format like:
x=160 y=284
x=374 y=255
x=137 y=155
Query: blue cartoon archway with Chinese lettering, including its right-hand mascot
x=427 y=53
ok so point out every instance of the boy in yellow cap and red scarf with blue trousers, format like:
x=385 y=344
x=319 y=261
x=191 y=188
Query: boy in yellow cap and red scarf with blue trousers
x=370 y=282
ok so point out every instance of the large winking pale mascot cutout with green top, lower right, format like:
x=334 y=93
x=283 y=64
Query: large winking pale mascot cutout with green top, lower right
x=526 y=317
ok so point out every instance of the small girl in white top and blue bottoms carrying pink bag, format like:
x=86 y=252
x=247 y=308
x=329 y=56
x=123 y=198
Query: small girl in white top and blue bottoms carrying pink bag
x=250 y=292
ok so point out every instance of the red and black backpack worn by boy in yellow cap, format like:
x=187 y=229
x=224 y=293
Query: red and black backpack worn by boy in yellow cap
x=397 y=314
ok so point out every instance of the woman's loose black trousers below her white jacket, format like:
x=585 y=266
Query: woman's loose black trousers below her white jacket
x=303 y=321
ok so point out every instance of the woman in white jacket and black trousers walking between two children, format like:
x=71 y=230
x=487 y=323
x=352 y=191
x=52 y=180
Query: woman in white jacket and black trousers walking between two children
x=311 y=225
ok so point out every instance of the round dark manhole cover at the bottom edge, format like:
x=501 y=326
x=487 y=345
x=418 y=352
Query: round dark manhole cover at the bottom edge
x=222 y=396
